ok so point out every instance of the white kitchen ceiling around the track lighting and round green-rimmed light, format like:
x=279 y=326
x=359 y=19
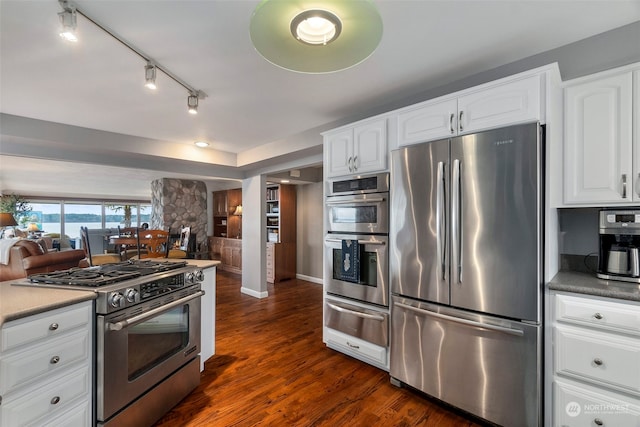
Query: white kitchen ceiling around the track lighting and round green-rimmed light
x=254 y=110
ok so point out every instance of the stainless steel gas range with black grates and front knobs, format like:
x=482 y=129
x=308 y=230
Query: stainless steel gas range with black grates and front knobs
x=147 y=335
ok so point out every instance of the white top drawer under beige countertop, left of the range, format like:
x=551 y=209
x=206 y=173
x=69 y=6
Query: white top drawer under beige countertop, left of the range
x=39 y=326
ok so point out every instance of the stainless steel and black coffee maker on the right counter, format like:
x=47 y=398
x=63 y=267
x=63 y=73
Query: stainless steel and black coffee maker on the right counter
x=619 y=243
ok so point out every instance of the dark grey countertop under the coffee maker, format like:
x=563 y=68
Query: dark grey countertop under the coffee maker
x=589 y=284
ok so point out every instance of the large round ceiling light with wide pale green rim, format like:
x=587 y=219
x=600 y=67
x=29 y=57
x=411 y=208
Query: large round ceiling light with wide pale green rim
x=315 y=36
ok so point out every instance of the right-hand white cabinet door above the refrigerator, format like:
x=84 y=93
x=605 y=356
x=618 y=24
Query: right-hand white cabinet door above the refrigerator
x=507 y=104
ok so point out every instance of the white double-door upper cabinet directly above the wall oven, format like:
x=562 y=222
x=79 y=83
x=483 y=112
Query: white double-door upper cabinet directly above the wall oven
x=359 y=148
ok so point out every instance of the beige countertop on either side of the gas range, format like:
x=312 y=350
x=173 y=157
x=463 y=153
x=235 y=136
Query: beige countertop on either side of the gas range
x=21 y=301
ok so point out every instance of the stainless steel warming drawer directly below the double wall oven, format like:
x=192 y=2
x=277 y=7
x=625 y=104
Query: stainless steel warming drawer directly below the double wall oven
x=368 y=325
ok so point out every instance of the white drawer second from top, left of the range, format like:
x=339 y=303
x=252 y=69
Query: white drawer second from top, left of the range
x=31 y=363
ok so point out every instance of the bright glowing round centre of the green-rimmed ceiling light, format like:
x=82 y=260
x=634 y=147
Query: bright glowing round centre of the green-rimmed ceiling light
x=316 y=27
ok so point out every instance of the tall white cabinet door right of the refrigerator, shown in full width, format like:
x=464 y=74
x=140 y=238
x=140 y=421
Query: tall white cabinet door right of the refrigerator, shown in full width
x=598 y=147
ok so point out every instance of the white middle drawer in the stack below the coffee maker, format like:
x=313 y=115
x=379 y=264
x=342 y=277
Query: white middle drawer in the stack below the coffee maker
x=598 y=357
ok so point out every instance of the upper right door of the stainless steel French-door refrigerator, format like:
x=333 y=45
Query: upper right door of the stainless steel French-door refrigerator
x=496 y=222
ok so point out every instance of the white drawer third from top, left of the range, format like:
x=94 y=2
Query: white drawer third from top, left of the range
x=42 y=402
